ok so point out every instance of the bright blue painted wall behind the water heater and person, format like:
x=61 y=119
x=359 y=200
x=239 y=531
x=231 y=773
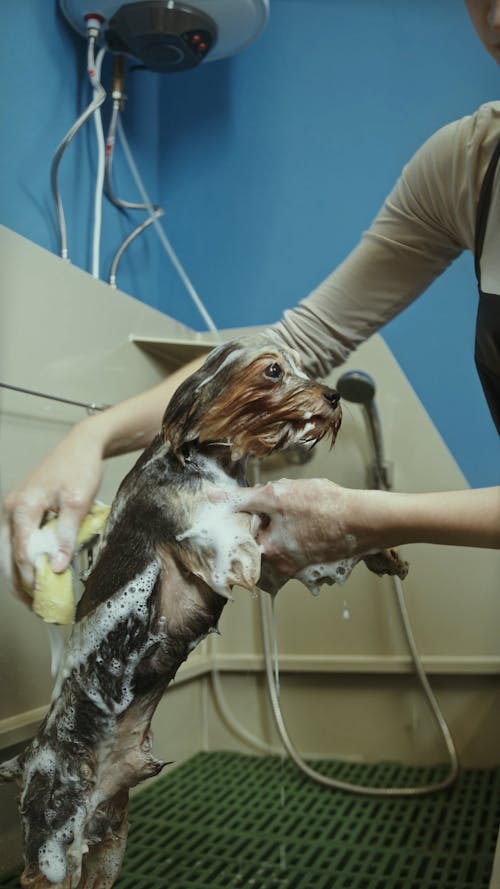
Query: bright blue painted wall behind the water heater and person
x=269 y=165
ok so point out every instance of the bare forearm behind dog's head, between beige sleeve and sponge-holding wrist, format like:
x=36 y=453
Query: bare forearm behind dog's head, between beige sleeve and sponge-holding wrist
x=131 y=425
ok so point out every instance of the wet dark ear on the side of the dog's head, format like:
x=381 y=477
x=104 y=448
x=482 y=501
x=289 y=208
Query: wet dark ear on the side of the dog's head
x=182 y=418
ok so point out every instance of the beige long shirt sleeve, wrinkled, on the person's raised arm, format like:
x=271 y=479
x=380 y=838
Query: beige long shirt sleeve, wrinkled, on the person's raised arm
x=426 y=222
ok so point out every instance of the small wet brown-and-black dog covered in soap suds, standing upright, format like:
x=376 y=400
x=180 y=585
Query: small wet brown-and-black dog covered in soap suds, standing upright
x=164 y=569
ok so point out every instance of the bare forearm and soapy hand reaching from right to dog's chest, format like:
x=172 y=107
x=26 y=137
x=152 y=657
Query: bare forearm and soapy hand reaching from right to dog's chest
x=309 y=521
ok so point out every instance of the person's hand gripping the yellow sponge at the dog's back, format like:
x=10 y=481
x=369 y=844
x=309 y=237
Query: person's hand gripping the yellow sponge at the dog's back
x=64 y=483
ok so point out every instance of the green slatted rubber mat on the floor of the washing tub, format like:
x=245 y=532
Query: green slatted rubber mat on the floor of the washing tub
x=230 y=821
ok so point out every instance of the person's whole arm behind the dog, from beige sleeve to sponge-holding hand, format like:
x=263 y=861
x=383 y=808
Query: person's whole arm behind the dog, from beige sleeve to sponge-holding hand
x=412 y=240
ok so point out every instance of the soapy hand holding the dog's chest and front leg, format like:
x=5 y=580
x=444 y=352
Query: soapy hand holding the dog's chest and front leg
x=305 y=522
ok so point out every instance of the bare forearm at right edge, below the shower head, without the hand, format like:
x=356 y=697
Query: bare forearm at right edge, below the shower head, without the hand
x=460 y=518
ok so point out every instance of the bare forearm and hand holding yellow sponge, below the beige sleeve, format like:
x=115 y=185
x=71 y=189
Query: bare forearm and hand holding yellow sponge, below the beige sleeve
x=67 y=480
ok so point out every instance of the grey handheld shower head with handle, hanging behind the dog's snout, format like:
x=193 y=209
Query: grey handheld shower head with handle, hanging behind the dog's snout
x=359 y=387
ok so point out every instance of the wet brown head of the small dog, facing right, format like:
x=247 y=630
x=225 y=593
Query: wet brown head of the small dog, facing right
x=255 y=400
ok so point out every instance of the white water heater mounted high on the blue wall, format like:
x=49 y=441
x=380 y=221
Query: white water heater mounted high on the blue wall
x=165 y=35
